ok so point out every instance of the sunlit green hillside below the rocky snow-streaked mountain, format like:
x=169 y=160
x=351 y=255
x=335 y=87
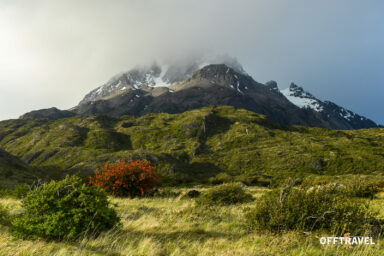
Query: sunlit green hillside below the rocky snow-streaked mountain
x=194 y=146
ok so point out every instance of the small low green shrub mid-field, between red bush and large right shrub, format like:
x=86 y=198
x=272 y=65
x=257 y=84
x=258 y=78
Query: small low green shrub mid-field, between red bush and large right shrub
x=226 y=194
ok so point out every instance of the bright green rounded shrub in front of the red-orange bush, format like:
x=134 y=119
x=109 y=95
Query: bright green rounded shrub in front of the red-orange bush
x=66 y=209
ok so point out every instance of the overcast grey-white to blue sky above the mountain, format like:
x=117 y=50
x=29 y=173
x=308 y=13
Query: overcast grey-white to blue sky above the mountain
x=53 y=52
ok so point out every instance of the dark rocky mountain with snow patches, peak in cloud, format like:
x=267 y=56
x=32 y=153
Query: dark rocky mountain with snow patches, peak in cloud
x=176 y=89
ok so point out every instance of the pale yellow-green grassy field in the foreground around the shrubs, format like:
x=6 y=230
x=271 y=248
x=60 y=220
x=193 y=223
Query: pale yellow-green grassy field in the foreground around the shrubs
x=174 y=226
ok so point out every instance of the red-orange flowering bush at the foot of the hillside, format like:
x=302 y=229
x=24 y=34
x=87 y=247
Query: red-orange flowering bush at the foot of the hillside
x=135 y=178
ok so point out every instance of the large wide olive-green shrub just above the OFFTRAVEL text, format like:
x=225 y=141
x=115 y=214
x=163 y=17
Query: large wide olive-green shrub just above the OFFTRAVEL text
x=312 y=209
